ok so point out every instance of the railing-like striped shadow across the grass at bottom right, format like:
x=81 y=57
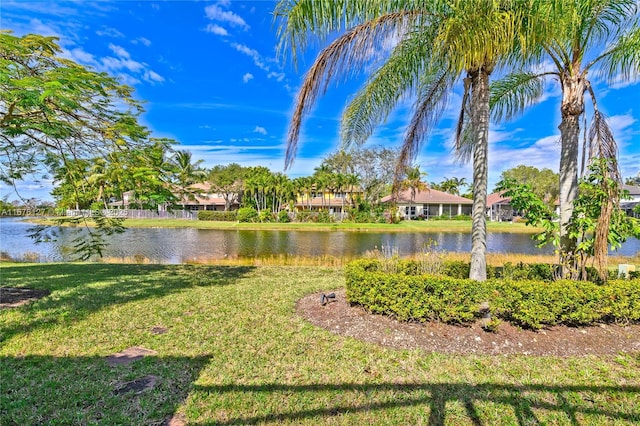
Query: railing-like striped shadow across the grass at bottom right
x=564 y=403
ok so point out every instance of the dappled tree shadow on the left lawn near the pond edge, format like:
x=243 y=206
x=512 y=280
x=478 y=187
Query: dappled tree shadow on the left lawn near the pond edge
x=80 y=289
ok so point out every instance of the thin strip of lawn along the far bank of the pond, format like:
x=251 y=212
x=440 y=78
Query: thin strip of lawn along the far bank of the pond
x=404 y=226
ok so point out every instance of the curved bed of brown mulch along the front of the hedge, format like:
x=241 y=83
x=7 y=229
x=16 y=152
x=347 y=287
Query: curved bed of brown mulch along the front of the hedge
x=341 y=318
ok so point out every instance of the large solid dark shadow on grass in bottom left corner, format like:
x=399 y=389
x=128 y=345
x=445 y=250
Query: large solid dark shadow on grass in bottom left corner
x=86 y=390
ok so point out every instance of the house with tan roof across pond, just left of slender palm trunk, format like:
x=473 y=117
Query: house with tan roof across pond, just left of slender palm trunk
x=429 y=203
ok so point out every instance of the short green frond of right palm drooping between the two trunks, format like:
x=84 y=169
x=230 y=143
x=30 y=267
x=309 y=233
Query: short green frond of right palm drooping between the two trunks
x=511 y=95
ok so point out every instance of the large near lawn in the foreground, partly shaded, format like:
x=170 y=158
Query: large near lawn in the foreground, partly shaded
x=236 y=353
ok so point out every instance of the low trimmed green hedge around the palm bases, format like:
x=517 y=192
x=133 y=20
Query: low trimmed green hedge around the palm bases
x=532 y=304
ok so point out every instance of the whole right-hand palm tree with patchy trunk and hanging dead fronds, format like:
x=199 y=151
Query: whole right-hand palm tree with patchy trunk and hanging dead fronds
x=580 y=37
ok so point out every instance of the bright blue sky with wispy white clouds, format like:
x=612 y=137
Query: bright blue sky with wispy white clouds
x=211 y=80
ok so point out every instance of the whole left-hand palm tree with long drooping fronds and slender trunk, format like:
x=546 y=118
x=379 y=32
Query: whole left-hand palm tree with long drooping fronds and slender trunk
x=437 y=41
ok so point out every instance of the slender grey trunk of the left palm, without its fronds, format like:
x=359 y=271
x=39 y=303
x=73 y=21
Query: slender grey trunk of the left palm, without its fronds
x=480 y=126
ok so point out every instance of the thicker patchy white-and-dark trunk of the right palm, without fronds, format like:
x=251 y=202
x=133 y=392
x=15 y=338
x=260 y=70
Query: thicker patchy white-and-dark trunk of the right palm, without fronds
x=572 y=107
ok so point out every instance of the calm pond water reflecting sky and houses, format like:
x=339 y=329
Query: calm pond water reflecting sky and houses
x=168 y=245
